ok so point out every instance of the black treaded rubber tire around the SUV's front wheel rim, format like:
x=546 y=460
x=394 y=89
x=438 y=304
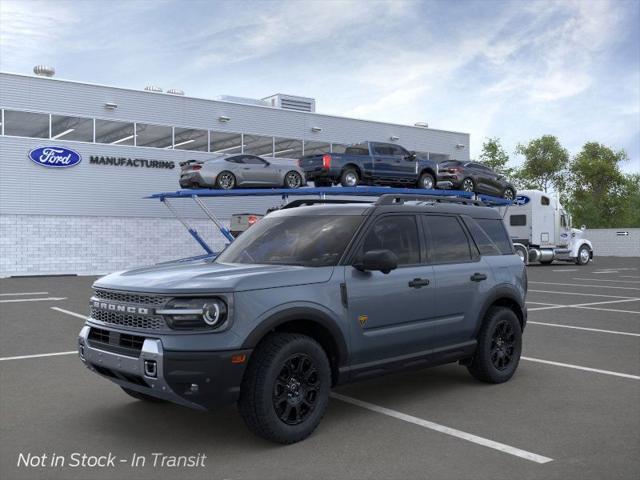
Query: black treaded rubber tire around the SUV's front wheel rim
x=257 y=403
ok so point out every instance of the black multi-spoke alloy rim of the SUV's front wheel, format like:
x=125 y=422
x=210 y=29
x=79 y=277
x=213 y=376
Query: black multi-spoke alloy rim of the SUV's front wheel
x=296 y=390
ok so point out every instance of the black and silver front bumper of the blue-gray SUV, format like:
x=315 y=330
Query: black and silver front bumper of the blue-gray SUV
x=195 y=379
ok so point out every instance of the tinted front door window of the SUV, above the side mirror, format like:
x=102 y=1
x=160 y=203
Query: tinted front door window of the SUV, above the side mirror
x=398 y=234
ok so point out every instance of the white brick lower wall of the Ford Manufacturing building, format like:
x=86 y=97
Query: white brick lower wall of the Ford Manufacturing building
x=89 y=245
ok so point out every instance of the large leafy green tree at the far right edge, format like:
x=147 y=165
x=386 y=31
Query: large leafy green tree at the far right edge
x=599 y=194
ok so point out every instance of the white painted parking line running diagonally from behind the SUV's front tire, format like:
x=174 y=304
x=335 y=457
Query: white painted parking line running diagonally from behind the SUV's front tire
x=446 y=430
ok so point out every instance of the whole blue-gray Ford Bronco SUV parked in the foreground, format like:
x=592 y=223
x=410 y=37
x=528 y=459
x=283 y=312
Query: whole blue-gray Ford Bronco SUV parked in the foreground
x=309 y=298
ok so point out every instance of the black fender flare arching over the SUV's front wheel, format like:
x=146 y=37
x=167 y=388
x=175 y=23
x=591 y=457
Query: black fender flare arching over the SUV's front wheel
x=308 y=314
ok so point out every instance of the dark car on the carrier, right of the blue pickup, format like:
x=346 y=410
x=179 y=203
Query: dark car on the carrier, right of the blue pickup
x=475 y=177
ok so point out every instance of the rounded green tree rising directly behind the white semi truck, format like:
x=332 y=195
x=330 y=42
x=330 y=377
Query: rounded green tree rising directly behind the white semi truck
x=544 y=165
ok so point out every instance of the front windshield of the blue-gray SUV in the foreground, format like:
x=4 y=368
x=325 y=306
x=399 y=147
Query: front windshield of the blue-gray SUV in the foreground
x=310 y=241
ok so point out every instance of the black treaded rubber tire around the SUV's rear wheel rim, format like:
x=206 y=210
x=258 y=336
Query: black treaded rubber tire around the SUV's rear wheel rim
x=482 y=366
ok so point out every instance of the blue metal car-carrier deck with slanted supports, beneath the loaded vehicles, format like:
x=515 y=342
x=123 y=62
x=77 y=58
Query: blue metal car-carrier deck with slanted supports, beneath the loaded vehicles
x=284 y=193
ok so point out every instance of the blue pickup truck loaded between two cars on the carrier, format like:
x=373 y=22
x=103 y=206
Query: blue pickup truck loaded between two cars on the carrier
x=371 y=163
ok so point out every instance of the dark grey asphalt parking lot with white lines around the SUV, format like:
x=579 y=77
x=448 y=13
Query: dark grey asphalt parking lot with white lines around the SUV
x=571 y=411
